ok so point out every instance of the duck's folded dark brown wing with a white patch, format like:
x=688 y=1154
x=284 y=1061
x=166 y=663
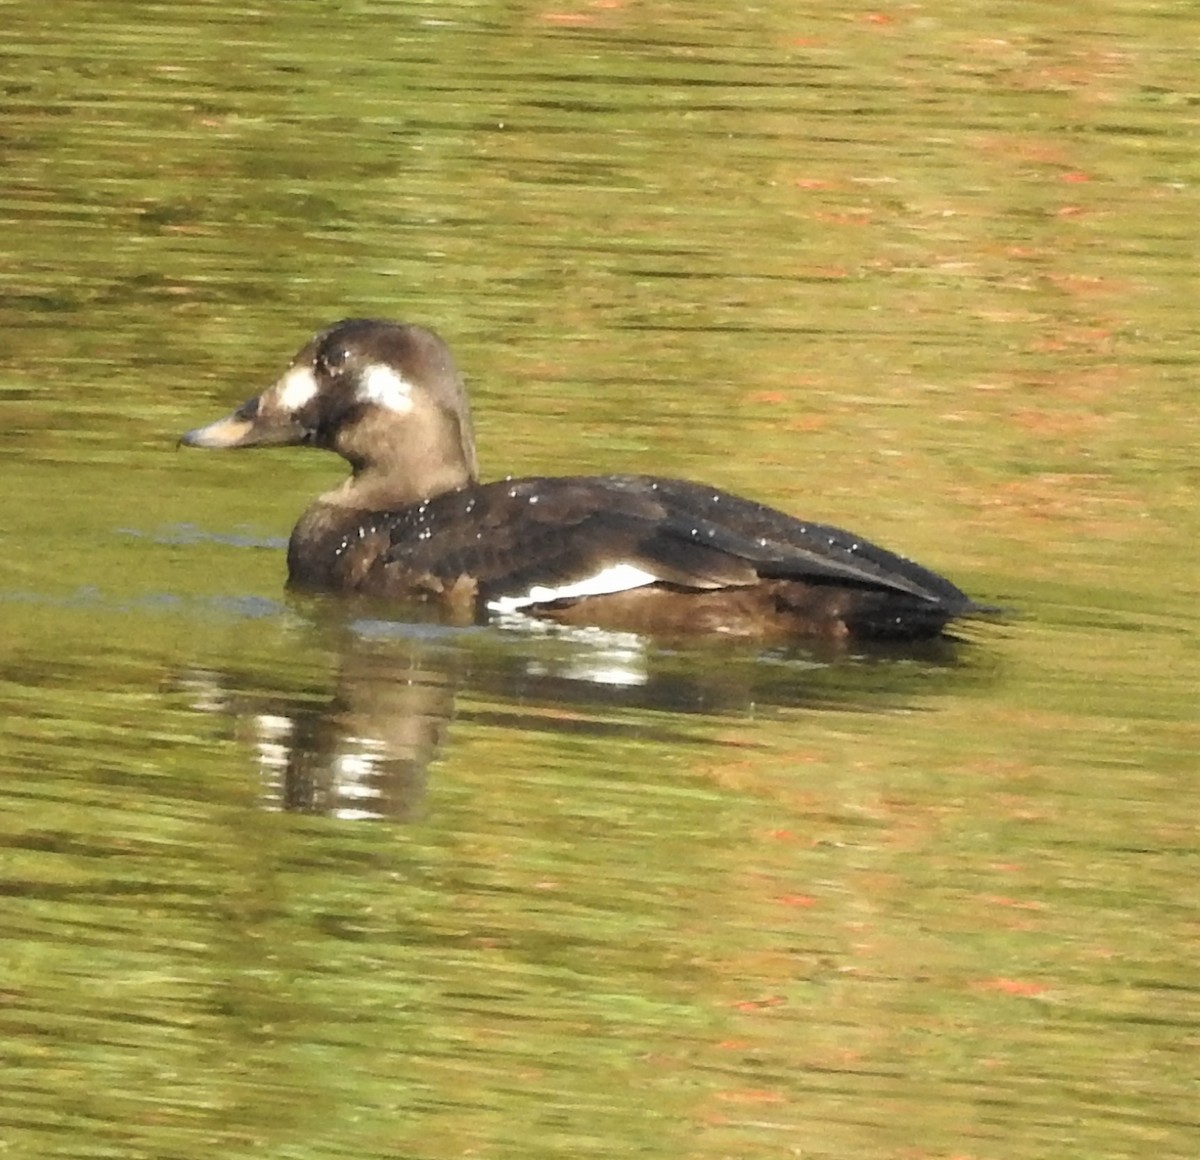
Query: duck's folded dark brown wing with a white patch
x=531 y=542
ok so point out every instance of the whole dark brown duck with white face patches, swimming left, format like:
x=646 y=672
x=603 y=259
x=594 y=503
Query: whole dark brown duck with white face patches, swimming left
x=415 y=522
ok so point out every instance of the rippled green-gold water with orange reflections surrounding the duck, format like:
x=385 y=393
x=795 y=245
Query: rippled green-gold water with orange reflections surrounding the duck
x=301 y=879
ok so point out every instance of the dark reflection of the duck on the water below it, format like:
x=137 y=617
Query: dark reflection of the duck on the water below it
x=361 y=746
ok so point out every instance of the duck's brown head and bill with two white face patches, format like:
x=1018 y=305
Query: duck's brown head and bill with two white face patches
x=386 y=396
